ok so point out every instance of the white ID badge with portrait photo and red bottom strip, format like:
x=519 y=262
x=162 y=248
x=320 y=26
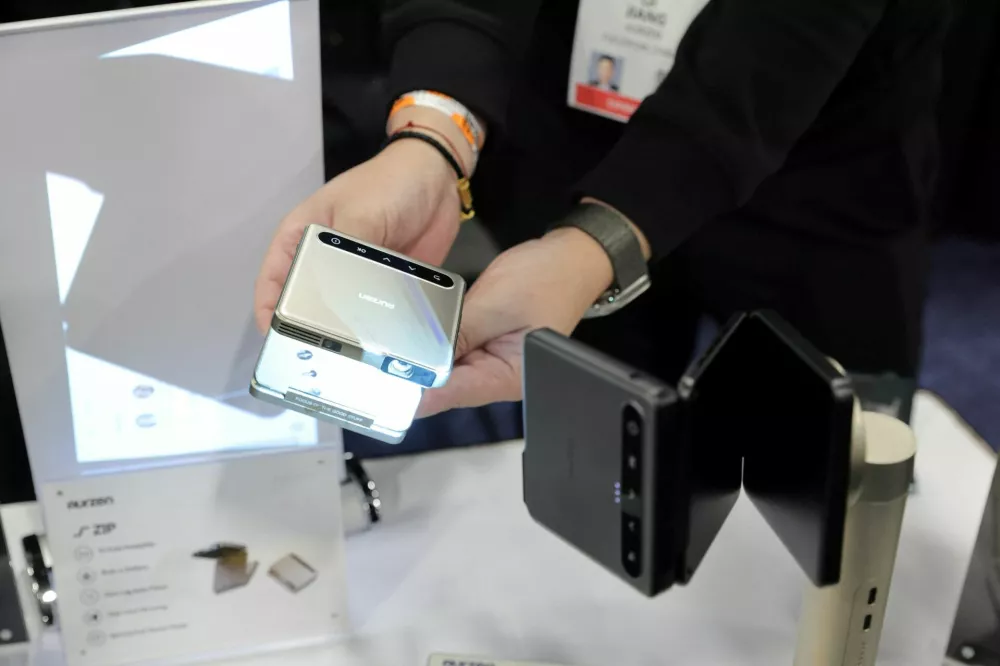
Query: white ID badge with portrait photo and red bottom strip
x=622 y=51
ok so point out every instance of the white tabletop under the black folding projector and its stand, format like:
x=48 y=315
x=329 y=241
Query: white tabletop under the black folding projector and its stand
x=458 y=566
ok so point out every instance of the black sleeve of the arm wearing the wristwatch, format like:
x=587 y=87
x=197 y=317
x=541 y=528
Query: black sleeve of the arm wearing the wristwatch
x=749 y=79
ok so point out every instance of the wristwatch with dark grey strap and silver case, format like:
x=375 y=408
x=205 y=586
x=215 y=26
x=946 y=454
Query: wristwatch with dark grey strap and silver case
x=619 y=241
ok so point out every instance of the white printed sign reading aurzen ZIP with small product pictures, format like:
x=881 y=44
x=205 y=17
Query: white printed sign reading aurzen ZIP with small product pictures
x=223 y=558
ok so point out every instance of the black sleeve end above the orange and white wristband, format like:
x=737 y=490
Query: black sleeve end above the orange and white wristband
x=467 y=49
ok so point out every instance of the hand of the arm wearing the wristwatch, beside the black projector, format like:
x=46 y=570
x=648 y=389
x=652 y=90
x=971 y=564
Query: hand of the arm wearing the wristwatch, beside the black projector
x=550 y=282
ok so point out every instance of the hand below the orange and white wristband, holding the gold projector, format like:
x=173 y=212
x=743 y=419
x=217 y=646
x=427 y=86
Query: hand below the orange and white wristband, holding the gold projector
x=405 y=198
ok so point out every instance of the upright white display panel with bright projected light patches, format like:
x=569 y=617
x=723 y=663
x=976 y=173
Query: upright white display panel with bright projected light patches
x=147 y=157
